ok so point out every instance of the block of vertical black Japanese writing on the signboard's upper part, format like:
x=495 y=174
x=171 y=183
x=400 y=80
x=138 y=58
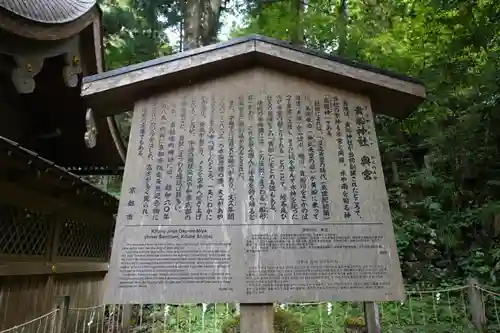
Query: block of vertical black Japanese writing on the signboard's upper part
x=200 y=147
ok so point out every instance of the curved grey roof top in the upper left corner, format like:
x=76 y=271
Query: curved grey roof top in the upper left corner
x=48 y=11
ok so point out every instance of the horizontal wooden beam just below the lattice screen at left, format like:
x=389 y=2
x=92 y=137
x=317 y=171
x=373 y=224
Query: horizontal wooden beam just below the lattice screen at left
x=38 y=268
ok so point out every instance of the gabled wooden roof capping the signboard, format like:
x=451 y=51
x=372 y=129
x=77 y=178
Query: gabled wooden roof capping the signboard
x=142 y=80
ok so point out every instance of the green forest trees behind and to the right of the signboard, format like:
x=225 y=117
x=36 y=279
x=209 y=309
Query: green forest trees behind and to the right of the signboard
x=441 y=165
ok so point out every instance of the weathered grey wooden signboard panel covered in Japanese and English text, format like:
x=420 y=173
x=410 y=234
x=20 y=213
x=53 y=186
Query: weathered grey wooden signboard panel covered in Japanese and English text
x=254 y=187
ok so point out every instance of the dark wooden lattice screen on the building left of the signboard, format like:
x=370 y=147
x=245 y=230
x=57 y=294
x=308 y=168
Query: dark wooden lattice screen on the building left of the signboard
x=27 y=235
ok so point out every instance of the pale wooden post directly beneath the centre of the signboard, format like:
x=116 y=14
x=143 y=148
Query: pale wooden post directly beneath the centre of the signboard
x=257 y=318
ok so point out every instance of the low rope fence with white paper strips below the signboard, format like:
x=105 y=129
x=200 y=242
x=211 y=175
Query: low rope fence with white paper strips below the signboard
x=451 y=310
